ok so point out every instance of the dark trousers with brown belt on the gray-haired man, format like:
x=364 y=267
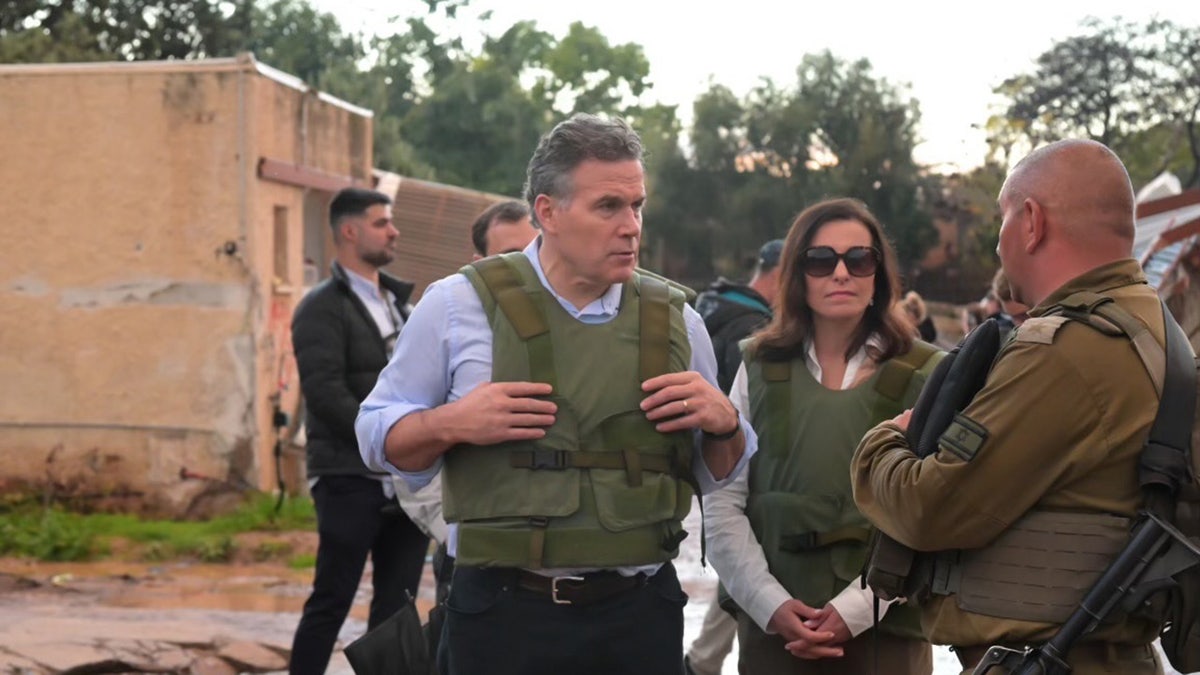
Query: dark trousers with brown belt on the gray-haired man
x=496 y=629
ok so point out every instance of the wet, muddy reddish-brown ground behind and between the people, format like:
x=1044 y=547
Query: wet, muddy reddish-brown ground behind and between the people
x=224 y=619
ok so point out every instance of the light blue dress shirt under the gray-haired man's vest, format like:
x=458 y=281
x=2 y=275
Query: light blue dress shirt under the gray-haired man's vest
x=446 y=351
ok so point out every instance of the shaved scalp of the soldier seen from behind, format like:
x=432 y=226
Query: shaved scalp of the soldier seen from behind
x=1083 y=187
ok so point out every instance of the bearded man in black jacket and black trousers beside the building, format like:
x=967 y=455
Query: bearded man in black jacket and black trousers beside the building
x=343 y=334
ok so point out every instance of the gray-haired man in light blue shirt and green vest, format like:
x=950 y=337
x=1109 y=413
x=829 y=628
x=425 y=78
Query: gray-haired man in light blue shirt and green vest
x=571 y=403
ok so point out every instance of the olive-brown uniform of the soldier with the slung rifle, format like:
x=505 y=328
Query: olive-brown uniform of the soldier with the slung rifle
x=1058 y=428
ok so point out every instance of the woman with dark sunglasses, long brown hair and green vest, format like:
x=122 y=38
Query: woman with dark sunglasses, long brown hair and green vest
x=785 y=537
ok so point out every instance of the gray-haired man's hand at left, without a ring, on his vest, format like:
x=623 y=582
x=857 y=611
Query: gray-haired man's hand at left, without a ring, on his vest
x=496 y=413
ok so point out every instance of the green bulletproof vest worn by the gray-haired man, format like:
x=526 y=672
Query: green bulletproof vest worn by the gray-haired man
x=603 y=488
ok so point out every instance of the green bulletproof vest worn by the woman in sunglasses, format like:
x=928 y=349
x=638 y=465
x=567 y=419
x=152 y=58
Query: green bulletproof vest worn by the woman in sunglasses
x=801 y=506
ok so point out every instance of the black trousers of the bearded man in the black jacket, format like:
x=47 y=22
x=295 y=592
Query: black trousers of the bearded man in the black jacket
x=355 y=519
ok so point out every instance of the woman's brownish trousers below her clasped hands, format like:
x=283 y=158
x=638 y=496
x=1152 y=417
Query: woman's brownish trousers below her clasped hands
x=761 y=654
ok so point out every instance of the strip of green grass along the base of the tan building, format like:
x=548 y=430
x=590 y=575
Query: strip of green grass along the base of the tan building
x=56 y=535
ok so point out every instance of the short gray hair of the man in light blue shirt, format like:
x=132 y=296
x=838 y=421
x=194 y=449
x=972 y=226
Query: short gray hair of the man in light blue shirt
x=572 y=142
